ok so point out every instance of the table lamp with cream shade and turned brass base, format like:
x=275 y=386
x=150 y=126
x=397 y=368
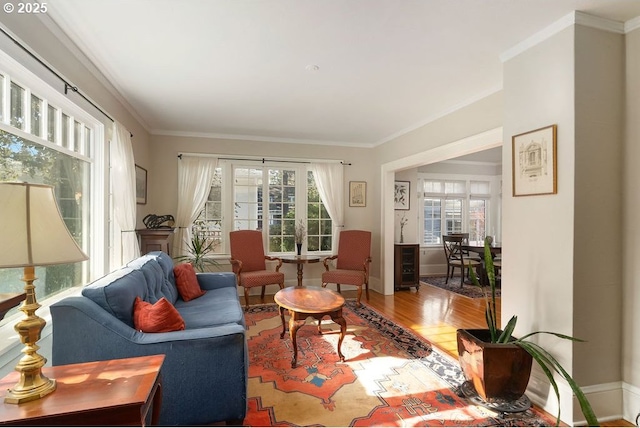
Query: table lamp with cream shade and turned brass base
x=33 y=234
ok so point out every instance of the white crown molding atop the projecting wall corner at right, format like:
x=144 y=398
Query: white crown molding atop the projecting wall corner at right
x=569 y=20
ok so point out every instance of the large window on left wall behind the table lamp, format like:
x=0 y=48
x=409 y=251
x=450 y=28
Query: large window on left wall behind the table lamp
x=30 y=152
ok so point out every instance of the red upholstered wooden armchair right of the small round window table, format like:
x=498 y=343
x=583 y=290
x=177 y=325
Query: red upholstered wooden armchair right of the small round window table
x=352 y=261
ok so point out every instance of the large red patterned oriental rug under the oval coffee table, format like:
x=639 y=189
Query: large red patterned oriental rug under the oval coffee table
x=390 y=377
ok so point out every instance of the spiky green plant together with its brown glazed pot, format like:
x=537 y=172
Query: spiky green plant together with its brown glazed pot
x=499 y=365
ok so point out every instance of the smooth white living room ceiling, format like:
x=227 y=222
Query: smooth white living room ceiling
x=344 y=72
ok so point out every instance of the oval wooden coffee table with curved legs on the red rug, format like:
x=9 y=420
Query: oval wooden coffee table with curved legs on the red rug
x=305 y=302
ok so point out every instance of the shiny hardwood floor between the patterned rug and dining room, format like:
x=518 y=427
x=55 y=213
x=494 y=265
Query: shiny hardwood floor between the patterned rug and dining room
x=432 y=313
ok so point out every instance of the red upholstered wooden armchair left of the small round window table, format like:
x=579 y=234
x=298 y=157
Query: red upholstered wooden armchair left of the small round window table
x=248 y=262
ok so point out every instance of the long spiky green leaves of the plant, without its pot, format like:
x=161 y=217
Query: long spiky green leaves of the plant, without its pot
x=547 y=362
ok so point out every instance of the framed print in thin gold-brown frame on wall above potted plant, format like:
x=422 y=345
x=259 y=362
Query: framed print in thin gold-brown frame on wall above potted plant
x=534 y=162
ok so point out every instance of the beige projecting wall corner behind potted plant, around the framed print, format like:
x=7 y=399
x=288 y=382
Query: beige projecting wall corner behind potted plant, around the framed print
x=562 y=253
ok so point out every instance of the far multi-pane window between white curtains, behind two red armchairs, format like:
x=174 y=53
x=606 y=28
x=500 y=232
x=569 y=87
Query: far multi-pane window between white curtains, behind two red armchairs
x=271 y=198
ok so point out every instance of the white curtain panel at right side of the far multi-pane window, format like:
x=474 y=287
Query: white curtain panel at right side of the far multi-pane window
x=330 y=184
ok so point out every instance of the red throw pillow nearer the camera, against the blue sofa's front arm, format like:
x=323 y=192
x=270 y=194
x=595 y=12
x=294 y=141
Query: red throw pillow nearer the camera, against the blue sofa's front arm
x=157 y=318
